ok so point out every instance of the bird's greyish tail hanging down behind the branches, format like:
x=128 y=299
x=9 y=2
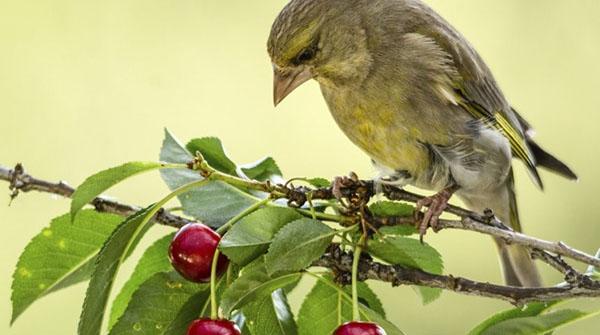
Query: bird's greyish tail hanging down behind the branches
x=517 y=265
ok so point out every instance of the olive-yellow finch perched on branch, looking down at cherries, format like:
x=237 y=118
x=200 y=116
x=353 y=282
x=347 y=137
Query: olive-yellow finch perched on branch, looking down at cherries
x=410 y=91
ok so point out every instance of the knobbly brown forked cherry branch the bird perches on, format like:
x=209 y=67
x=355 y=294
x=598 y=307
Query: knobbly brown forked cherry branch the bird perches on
x=356 y=191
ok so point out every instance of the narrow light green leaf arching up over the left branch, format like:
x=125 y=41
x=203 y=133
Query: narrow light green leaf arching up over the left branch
x=94 y=185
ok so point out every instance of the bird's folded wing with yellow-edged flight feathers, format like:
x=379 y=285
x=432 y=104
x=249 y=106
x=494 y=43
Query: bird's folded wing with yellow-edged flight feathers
x=477 y=92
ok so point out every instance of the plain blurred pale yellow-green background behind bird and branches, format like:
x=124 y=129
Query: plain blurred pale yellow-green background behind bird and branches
x=86 y=85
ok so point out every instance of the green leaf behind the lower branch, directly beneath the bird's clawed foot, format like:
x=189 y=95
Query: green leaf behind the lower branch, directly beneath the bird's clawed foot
x=411 y=253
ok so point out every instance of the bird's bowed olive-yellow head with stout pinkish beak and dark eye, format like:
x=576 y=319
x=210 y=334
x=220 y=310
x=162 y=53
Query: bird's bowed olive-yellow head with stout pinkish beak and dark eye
x=317 y=39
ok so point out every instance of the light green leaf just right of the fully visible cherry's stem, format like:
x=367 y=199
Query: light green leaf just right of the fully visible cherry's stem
x=251 y=236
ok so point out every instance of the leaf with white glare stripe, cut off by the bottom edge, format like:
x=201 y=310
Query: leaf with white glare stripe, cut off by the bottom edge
x=271 y=315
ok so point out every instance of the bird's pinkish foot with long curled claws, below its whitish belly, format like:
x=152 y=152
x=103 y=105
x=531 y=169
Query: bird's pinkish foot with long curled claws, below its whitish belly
x=436 y=204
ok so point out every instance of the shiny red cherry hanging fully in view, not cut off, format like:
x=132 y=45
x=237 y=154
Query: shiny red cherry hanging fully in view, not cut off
x=192 y=250
